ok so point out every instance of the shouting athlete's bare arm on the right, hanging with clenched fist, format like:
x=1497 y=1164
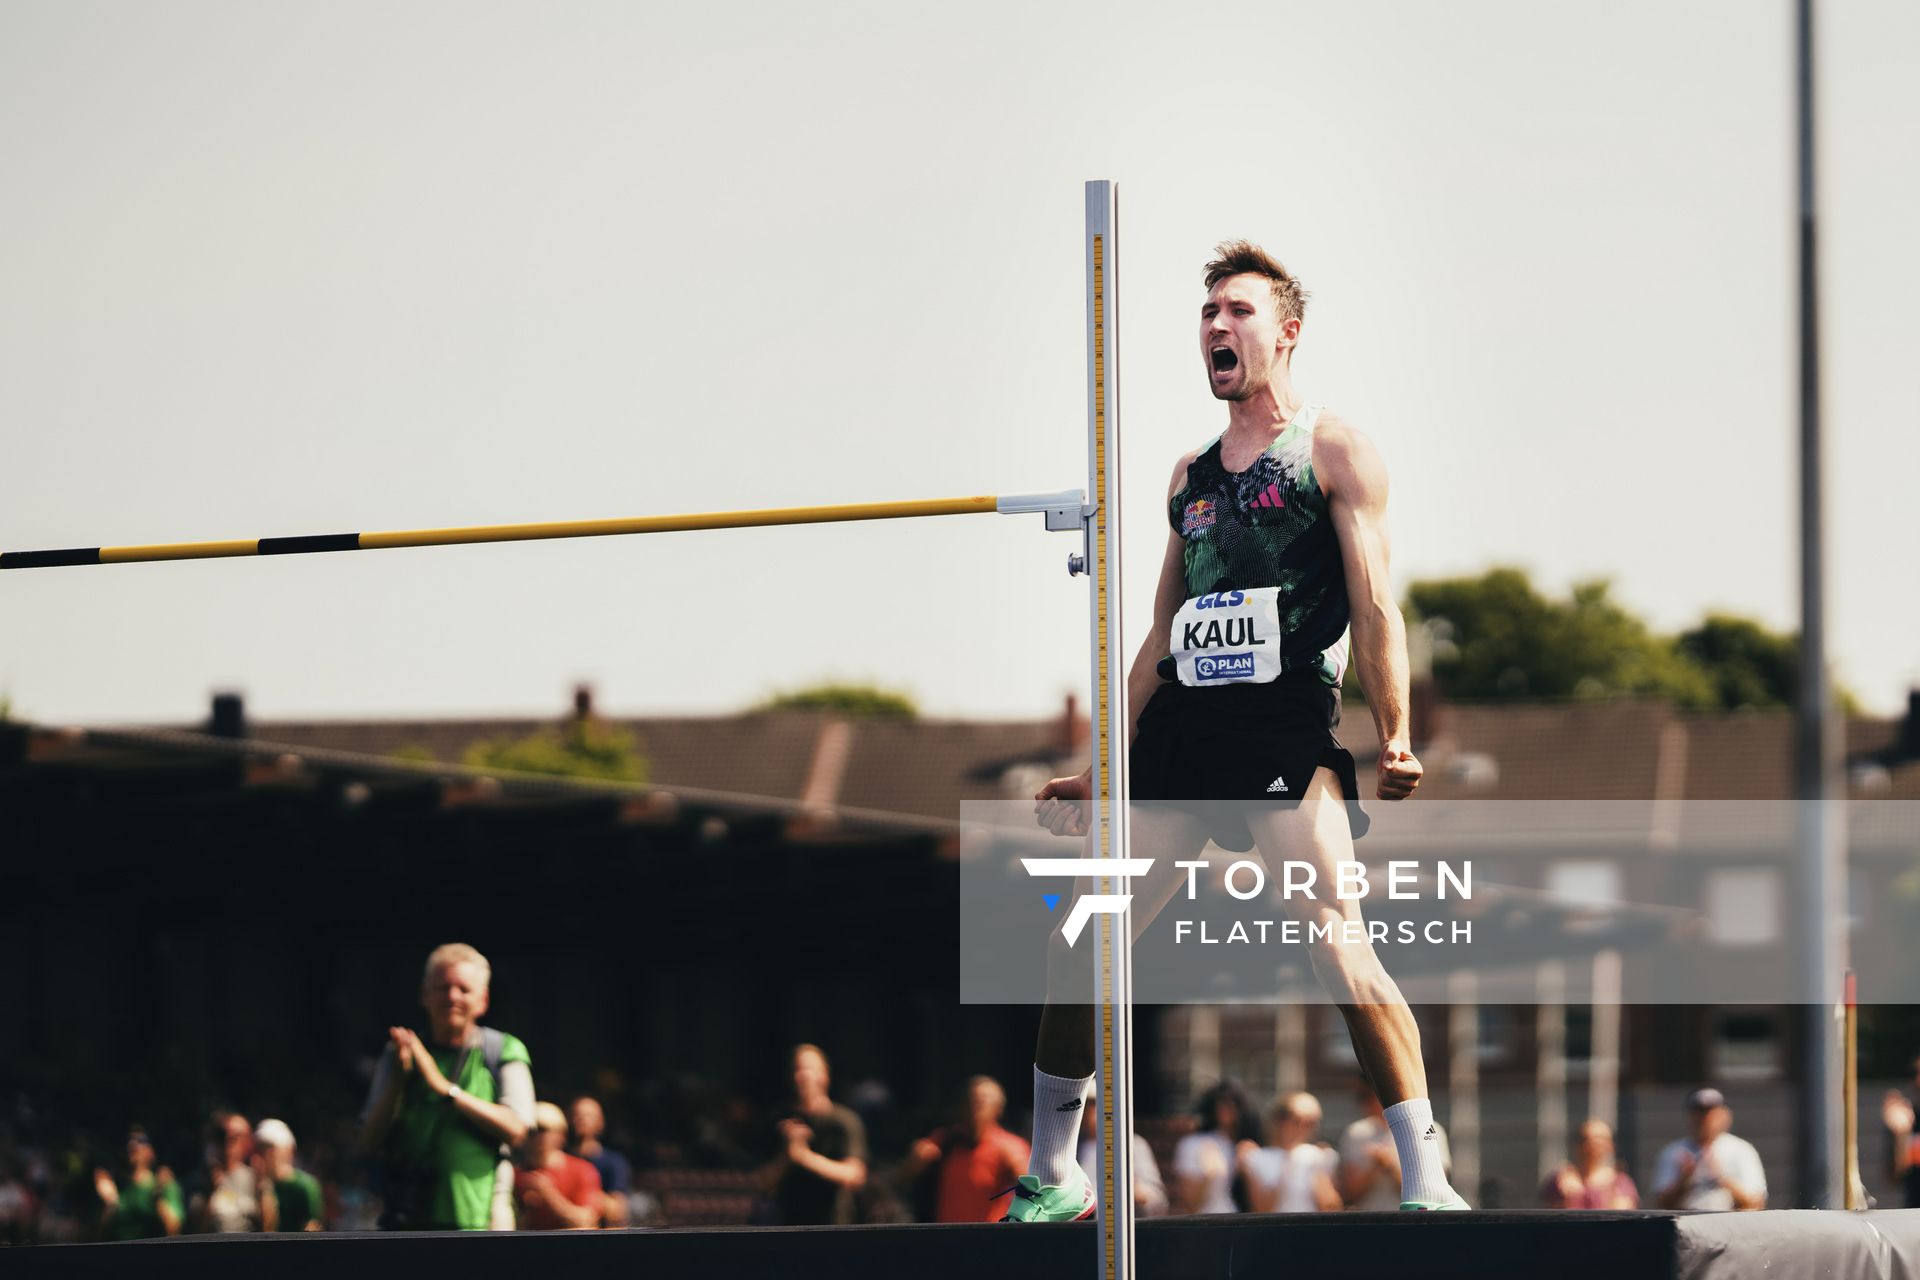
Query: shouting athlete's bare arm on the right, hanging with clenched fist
x=1355 y=481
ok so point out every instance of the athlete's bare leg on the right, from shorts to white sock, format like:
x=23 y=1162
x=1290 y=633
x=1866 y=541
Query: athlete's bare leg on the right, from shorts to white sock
x=1378 y=1018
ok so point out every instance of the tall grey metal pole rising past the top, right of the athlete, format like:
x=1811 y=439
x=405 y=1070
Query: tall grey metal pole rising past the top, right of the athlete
x=1819 y=788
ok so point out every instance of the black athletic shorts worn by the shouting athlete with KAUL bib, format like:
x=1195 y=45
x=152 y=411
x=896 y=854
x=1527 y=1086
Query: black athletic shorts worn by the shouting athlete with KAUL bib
x=1226 y=749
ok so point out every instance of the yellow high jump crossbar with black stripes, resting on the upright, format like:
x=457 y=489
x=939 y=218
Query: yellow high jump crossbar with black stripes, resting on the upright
x=539 y=533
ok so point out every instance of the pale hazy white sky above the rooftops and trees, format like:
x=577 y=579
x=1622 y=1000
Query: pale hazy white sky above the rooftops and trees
x=333 y=268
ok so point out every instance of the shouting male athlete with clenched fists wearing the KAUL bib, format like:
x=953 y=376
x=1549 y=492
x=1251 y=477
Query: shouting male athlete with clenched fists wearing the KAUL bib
x=1280 y=542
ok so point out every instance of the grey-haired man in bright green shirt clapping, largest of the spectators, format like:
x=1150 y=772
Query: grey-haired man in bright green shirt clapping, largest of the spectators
x=441 y=1108
